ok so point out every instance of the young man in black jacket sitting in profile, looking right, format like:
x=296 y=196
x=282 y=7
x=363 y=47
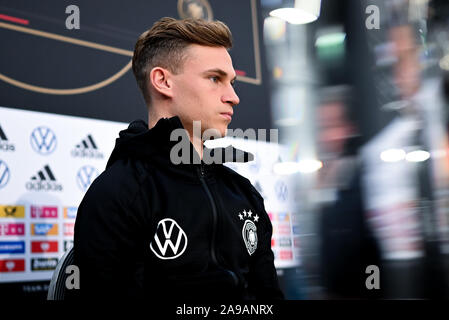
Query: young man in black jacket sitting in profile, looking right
x=150 y=225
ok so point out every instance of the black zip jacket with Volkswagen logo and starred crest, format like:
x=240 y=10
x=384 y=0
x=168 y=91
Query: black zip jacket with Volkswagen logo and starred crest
x=149 y=227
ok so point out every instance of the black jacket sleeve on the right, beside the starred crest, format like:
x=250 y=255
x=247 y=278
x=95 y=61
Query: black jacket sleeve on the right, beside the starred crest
x=263 y=280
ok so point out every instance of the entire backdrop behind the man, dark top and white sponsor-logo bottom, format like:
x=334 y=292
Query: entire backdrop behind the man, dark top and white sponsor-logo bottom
x=64 y=102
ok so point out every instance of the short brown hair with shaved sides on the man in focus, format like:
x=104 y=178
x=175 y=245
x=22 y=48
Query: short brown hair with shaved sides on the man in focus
x=164 y=44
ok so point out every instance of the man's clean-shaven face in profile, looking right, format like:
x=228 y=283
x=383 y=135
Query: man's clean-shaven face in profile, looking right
x=203 y=91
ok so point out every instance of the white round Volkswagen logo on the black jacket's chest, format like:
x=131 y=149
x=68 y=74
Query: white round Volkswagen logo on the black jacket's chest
x=174 y=237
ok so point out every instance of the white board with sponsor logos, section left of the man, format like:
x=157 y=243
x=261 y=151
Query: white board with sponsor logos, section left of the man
x=47 y=162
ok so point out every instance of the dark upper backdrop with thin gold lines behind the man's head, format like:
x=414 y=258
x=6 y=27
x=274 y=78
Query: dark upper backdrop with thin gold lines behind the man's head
x=54 y=64
